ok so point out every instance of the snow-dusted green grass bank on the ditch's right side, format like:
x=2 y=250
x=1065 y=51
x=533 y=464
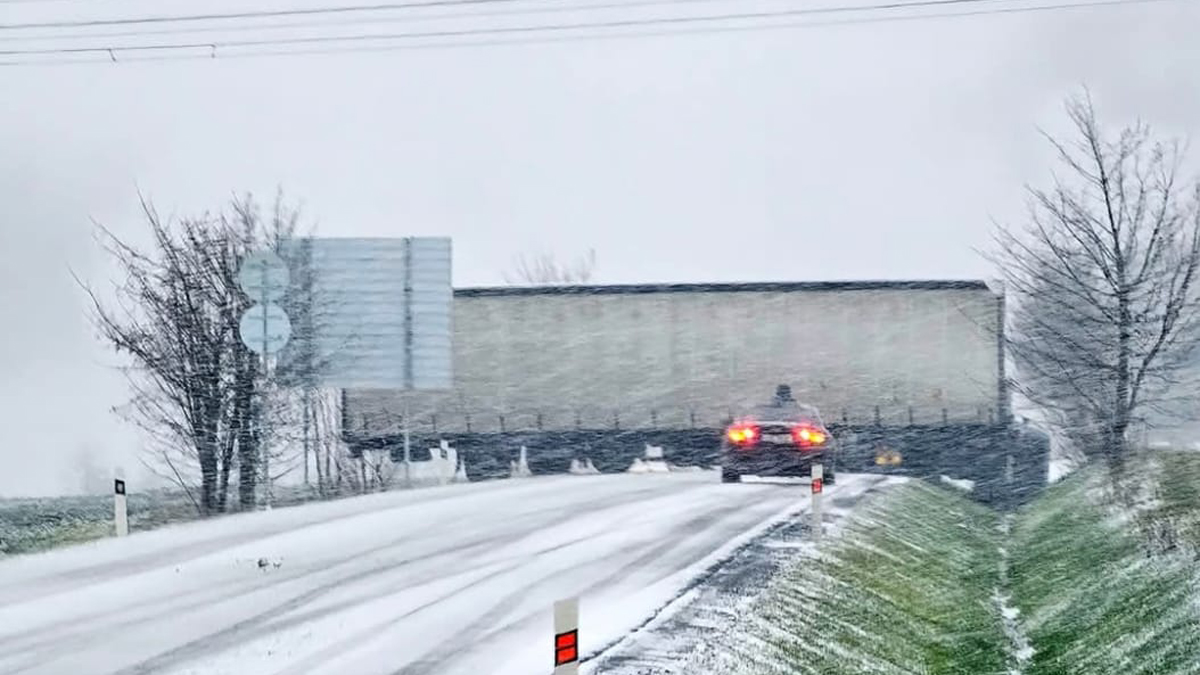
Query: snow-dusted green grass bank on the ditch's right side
x=1091 y=599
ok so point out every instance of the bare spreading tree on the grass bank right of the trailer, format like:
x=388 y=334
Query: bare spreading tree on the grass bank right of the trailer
x=1102 y=285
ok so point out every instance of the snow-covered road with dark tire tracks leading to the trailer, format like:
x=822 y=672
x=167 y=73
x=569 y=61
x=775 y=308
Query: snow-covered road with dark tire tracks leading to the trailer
x=451 y=581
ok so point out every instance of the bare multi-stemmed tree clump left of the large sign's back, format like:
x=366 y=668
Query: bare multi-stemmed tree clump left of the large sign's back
x=176 y=321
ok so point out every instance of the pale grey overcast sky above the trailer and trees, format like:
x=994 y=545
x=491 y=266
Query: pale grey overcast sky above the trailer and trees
x=855 y=152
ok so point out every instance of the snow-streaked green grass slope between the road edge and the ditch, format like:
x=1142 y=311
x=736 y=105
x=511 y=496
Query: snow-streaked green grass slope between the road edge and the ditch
x=908 y=589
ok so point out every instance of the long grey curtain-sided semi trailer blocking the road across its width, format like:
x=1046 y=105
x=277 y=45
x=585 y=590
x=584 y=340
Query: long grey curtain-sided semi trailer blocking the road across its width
x=909 y=375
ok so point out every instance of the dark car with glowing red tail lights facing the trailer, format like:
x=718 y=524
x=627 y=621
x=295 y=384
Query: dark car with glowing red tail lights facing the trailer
x=783 y=439
